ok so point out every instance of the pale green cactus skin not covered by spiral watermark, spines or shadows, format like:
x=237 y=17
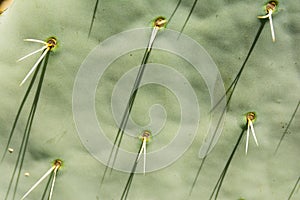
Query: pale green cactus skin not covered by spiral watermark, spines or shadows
x=269 y=85
